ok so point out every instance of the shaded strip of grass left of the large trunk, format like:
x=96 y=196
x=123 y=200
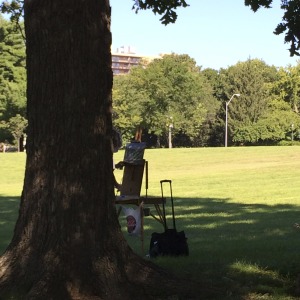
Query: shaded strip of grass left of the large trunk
x=9 y=208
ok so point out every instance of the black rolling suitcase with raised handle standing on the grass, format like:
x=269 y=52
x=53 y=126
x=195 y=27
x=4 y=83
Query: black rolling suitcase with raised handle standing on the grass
x=171 y=242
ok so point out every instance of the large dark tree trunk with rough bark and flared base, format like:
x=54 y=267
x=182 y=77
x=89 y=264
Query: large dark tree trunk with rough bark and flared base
x=67 y=242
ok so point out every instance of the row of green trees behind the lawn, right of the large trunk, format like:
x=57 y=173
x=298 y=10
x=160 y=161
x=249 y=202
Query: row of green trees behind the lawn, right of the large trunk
x=168 y=90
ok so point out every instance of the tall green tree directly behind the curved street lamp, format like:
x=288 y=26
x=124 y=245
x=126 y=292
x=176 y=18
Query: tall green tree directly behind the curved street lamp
x=250 y=79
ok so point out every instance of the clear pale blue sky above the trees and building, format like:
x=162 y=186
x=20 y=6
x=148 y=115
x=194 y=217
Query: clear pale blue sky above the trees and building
x=216 y=33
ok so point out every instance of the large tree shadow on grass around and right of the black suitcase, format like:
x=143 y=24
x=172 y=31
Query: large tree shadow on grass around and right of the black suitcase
x=240 y=248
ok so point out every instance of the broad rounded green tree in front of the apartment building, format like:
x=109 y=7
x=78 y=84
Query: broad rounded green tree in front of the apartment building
x=167 y=92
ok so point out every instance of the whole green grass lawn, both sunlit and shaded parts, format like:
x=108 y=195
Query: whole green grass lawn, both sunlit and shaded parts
x=237 y=206
